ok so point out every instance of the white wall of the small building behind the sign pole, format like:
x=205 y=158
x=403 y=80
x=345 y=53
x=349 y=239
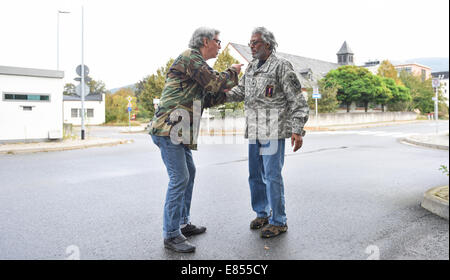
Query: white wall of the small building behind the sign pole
x=99 y=112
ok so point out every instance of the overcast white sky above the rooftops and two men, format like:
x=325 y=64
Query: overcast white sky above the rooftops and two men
x=126 y=40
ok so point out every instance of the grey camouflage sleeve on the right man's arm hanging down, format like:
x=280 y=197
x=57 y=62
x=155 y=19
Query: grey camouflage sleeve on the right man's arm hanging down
x=296 y=102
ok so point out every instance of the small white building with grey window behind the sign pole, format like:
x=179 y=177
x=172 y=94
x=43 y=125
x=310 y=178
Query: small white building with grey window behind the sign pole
x=94 y=107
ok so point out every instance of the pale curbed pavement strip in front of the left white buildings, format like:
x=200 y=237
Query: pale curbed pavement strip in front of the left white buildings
x=64 y=148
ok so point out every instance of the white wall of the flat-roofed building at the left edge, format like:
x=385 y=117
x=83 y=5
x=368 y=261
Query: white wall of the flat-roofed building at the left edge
x=46 y=116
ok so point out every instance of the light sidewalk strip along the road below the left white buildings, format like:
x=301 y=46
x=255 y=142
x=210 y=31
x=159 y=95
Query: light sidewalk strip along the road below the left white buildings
x=63 y=145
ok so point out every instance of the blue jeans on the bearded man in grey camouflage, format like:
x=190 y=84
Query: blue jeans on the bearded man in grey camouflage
x=266 y=182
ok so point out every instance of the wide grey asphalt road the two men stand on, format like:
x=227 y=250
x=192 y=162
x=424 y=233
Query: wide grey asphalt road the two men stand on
x=349 y=195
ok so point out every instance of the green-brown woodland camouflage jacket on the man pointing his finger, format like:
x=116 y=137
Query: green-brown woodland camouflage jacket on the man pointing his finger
x=190 y=81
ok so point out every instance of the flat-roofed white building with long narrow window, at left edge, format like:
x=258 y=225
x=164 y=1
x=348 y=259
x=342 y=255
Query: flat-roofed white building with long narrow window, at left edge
x=30 y=104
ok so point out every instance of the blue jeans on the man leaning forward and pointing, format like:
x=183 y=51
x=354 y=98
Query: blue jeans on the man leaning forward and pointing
x=181 y=170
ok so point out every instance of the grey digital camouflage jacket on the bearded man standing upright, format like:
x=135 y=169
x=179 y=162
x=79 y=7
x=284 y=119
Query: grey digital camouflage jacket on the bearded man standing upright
x=274 y=104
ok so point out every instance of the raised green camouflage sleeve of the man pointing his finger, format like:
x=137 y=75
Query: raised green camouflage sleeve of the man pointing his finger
x=211 y=80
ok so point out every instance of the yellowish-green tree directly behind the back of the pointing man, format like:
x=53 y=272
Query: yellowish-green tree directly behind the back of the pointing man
x=151 y=87
